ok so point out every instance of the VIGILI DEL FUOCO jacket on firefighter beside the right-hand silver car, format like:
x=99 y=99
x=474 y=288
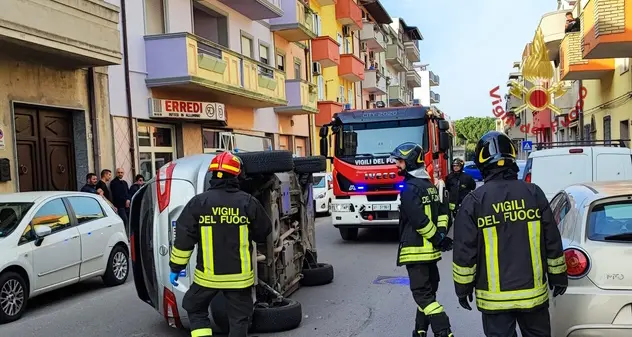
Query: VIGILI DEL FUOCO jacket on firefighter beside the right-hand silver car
x=506 y=245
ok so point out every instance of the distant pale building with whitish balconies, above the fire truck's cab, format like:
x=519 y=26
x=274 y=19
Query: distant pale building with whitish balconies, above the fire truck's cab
x=401 y=52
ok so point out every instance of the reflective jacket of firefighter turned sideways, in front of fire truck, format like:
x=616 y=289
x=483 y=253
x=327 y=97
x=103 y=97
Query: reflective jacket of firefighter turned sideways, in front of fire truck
x=422 y=217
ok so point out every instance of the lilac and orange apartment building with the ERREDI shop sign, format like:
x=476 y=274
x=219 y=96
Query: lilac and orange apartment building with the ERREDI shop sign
x=210 y=75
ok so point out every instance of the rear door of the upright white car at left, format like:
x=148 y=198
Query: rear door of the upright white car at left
x=95 y=231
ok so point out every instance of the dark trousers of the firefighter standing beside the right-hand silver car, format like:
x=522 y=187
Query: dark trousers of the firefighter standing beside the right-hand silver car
x=532 y=324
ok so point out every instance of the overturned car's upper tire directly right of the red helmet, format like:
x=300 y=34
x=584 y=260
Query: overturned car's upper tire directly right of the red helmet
x=266 y=162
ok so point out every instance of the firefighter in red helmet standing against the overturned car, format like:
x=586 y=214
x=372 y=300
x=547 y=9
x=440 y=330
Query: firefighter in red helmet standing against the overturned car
x=221 y=222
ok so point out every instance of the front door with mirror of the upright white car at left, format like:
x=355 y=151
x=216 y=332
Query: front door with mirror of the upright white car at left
x=56 y=257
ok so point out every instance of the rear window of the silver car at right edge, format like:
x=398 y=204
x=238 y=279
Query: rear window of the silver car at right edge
x=608 y=220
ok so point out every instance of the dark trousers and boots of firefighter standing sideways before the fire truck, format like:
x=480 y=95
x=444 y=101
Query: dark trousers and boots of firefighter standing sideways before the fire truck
x=424 y=282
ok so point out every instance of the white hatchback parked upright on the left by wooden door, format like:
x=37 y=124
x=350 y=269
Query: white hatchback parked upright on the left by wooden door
x=49 y=240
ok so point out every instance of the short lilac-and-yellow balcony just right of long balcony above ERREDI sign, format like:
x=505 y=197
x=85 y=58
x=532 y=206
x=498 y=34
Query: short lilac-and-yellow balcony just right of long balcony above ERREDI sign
x=301 y=98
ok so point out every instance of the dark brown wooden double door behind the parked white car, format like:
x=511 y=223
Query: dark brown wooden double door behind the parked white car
x=45 y=150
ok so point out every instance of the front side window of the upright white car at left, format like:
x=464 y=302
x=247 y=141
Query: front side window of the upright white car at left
x=52 y=214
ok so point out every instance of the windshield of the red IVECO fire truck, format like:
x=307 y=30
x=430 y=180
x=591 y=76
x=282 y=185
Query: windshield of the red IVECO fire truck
x=377 y=138
